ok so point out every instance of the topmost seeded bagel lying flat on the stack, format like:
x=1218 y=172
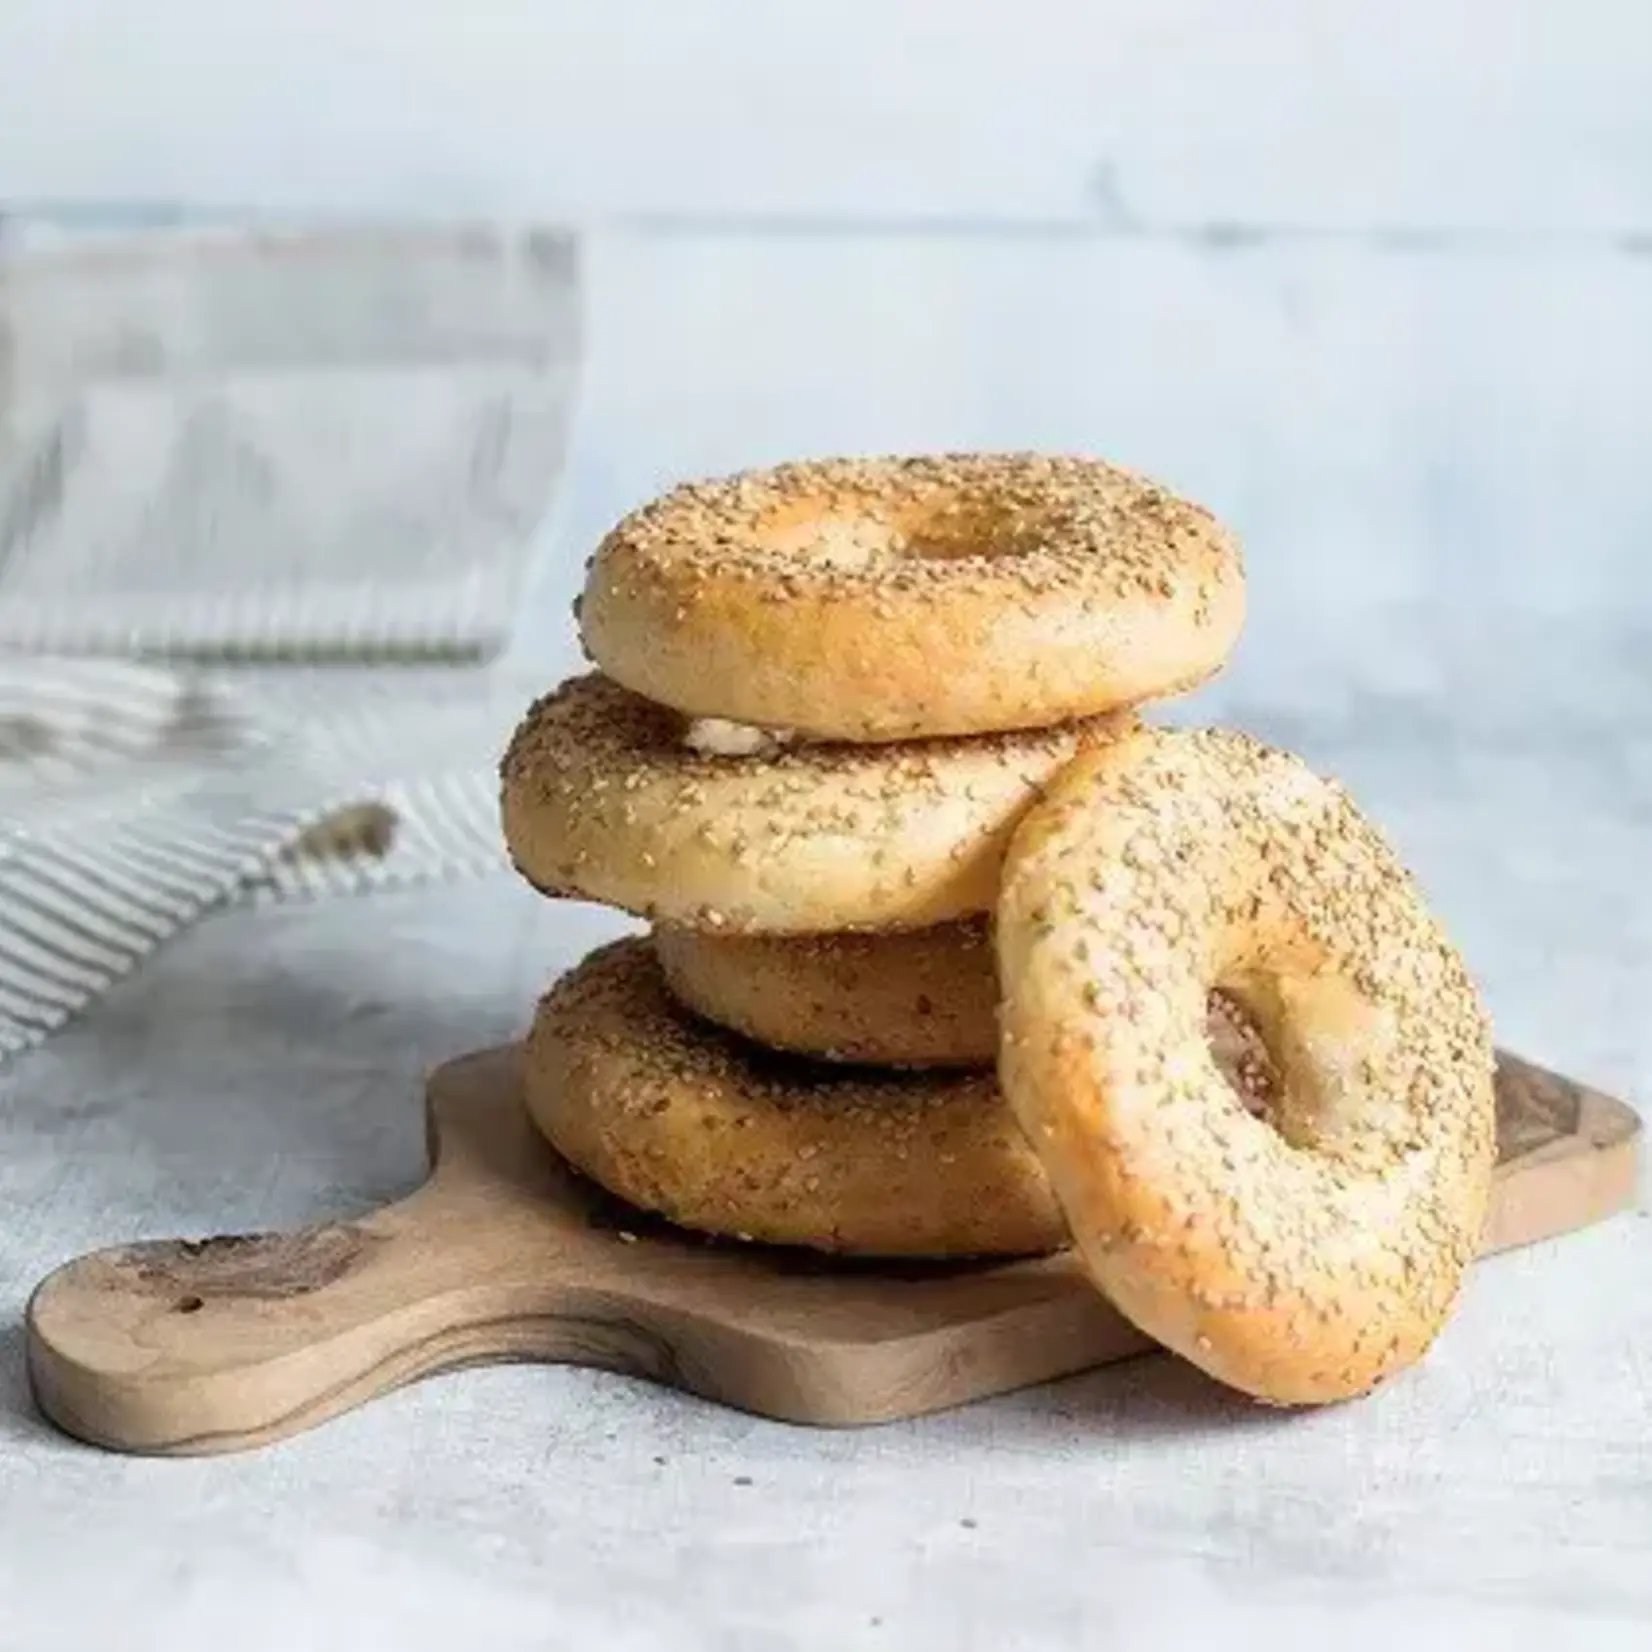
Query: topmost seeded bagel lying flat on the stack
x=914 y=599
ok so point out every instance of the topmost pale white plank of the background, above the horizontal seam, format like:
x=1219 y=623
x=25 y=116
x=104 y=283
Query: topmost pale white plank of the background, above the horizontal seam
x=1521 y=120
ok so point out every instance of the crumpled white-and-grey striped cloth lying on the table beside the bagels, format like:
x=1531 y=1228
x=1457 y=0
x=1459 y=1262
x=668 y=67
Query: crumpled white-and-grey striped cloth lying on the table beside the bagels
x=133 y=800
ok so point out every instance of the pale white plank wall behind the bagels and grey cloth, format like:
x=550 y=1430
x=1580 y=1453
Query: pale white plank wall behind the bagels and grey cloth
x=1374 y=280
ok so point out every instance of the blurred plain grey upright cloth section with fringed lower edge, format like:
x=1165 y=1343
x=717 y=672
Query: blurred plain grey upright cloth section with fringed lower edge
x=278 y=444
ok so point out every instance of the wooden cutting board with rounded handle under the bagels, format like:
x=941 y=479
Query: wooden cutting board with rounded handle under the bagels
x=212 y=1346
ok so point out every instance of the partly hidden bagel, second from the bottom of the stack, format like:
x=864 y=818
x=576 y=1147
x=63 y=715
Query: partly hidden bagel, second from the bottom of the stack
x=928 y=999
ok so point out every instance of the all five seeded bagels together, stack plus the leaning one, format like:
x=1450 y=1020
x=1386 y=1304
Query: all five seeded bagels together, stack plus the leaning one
x=952 y=954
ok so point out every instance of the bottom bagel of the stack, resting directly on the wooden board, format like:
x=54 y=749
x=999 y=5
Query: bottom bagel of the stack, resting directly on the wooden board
x=729 y=1139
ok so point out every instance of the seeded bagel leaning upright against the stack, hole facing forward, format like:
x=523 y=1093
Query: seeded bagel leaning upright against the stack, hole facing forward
x=1308 y=1256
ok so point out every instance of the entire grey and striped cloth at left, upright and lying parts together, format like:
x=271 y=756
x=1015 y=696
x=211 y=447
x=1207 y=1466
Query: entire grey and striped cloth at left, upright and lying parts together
x=259 y=449
